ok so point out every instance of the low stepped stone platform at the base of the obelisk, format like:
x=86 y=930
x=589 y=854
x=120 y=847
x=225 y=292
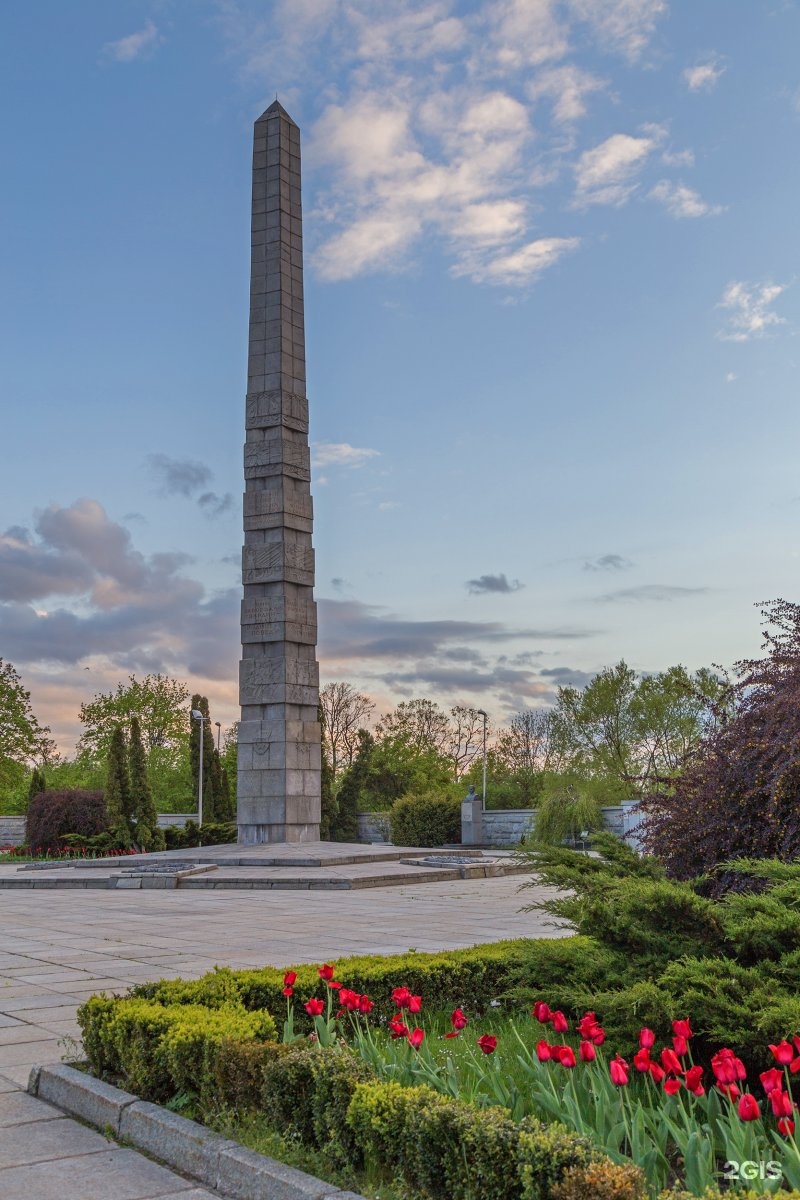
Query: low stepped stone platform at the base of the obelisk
x=314 y=867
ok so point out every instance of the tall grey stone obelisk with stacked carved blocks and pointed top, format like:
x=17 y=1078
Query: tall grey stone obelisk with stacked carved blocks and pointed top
x=279 y=785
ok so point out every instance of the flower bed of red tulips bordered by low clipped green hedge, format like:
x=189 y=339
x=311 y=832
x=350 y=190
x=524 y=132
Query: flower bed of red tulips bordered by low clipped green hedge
x=503 y=1117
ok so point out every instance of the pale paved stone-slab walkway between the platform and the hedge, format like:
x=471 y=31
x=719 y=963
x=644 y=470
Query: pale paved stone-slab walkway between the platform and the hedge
x=57 y=949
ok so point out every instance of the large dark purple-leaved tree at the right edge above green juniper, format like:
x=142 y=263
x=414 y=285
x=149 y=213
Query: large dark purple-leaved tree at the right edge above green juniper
x=739 y=795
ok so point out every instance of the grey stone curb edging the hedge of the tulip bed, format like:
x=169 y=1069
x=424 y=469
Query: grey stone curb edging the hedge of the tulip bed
x=189 y=1148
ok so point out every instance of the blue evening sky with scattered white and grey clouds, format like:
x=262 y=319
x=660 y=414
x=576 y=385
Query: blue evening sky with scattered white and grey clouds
x=552 y=310
